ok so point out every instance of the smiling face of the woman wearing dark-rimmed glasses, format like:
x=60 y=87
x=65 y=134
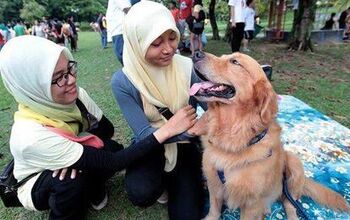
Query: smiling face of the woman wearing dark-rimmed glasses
x=67 y=93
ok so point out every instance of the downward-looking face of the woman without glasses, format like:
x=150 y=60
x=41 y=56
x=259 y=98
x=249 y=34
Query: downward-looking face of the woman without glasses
x=161 y=51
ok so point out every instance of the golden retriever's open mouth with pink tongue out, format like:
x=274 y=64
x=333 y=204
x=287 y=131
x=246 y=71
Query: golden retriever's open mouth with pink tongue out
x=211 y=89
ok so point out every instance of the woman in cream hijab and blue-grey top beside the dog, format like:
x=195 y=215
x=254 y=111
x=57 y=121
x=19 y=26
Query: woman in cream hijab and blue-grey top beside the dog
x=154 y=76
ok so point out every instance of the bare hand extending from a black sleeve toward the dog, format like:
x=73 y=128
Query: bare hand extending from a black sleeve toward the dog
x=180 y=122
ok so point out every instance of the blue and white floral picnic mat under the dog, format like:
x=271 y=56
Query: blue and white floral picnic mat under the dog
x=324 y=147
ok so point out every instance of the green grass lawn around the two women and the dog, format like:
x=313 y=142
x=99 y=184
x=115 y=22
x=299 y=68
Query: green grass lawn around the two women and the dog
x=320 y=79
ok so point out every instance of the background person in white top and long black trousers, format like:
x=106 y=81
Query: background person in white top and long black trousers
x=237 y=23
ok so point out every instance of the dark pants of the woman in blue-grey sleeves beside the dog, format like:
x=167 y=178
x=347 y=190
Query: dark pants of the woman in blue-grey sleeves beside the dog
x=146 y=180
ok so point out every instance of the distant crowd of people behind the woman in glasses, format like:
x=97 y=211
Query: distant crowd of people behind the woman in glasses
x=61 y=32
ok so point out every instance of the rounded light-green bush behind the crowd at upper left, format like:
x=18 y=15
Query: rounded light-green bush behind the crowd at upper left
x=32 y=11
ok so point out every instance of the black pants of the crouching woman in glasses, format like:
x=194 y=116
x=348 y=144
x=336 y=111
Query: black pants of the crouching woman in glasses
x=69 y=198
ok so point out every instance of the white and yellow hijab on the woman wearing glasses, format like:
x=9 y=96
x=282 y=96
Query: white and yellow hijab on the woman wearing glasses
x=26 y=65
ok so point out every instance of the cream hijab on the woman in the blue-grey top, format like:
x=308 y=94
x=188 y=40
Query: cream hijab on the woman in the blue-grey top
x=161 y=86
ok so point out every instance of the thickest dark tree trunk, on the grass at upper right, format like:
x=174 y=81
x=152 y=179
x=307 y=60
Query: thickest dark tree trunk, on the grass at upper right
x=301 y=31
